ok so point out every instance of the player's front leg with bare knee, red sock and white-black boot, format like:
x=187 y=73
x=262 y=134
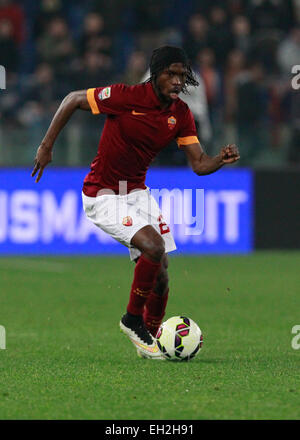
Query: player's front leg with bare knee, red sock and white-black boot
x=152 y=248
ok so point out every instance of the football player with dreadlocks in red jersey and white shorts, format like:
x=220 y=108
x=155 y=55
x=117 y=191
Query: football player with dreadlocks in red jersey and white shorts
x=141 y=120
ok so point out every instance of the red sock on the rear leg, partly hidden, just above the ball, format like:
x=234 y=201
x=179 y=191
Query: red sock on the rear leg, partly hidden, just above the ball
x=155 y=311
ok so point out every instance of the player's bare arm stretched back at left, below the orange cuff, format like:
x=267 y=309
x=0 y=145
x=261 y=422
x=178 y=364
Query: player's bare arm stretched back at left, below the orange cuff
x=73 y=101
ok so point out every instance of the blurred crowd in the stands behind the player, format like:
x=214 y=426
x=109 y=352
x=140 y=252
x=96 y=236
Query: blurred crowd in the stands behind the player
x=243 y=52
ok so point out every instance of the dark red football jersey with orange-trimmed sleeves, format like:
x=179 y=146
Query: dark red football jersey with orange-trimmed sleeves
x=136 y=129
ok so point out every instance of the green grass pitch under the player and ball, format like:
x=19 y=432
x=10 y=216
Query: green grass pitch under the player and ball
x=65 y=357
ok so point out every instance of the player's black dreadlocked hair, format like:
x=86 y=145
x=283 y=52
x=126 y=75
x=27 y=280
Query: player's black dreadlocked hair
x=163 y=56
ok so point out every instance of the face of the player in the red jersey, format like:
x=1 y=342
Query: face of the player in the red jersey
x=170 y=82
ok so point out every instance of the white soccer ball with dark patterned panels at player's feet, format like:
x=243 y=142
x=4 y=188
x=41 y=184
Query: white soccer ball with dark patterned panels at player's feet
x=179 y=338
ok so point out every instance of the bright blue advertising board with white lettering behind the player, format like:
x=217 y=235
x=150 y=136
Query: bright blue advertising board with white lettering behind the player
x=206 y=214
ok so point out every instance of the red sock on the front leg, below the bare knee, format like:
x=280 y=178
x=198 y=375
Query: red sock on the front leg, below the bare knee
x=145 y=274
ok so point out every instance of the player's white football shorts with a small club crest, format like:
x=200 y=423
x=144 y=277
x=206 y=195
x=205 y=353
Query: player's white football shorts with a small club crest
x=121 y=216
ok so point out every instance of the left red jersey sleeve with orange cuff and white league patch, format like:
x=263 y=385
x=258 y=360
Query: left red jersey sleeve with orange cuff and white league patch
x=109 y=100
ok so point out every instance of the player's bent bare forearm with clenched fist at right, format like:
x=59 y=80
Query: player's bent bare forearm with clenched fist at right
x=203 y=164
